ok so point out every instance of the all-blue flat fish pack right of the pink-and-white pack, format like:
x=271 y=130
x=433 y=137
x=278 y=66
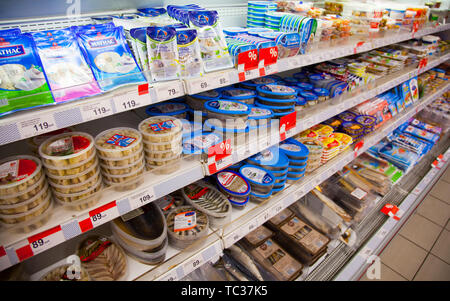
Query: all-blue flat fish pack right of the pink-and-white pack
x=110 y=58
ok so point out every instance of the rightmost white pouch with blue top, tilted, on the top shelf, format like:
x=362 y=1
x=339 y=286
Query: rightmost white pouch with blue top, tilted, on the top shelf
x=214 y=49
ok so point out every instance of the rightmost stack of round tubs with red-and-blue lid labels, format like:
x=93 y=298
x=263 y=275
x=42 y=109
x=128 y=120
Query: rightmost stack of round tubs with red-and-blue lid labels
x=162 y=137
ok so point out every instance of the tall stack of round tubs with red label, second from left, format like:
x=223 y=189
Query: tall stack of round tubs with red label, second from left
x=72 y=169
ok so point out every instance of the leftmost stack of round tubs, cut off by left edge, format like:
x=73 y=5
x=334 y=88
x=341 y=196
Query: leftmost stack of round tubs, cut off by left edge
x=25 y=199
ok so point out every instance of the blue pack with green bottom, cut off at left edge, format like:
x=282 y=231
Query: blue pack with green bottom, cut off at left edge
x=23 y=84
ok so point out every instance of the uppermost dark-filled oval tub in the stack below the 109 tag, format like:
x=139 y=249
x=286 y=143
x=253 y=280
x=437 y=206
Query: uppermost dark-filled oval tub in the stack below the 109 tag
x=143 y=229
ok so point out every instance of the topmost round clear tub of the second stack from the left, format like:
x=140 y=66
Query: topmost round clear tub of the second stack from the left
x=66 y=161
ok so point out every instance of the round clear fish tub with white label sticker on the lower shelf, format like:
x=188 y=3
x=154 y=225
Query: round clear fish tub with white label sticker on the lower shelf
x=186 y=225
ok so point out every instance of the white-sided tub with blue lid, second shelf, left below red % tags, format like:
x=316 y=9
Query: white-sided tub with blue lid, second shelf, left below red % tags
x=231 y=114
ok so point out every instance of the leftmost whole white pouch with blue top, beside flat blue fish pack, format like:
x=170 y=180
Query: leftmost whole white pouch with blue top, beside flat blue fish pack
x=162 y=53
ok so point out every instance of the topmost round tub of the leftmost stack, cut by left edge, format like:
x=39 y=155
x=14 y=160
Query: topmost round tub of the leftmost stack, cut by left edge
x=24 y=184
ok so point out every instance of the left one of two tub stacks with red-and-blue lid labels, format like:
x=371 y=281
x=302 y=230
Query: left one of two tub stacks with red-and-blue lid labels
x=121 y=157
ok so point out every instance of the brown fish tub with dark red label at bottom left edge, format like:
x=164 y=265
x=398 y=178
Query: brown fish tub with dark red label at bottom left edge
x=102 y=259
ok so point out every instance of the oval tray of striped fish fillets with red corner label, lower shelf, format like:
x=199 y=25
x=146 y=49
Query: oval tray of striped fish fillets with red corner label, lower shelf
x=209 y=200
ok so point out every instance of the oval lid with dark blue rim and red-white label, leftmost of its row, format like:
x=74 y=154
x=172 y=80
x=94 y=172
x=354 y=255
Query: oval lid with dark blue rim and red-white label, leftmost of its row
x=233 y=183
